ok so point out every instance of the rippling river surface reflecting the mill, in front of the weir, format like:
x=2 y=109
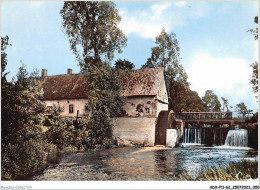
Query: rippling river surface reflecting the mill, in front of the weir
x=142 y=163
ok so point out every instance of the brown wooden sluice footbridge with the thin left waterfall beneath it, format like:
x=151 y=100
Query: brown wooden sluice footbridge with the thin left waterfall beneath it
x=209 y=128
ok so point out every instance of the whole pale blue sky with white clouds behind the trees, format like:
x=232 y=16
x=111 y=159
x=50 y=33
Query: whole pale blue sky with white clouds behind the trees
x=216 y=49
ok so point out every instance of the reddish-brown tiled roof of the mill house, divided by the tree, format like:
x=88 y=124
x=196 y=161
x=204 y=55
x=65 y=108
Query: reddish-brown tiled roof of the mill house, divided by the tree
x=73 y=86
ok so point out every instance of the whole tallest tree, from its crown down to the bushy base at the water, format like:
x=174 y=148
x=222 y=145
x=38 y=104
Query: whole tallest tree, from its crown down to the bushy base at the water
x=94 y=37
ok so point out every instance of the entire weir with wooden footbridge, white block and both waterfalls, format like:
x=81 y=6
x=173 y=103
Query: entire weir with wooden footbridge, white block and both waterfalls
x=206 y=128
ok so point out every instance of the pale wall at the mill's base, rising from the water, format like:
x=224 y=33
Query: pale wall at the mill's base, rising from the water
x=140 y=130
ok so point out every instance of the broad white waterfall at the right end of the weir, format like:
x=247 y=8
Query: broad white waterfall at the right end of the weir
x=238 y=138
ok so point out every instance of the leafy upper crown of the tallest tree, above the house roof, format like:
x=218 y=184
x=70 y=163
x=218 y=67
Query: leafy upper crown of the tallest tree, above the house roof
x=92 y=30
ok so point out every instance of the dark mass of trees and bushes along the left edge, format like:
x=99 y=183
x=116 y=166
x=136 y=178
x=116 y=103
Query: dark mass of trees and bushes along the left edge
x=22 y=144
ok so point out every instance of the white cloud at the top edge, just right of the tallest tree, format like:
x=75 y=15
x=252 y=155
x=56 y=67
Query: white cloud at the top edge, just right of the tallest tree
x=148 y=22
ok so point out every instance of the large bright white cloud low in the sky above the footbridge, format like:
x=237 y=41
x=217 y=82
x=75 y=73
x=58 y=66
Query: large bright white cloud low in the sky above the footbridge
x=228 y=75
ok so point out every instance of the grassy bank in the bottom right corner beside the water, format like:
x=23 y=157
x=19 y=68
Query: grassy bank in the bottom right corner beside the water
x=235 y=171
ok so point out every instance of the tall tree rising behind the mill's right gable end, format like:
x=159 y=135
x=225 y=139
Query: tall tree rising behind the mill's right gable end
x=166 y=54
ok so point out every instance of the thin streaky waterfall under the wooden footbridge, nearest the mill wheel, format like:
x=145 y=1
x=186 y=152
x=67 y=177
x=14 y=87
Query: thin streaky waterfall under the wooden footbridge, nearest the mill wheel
x=192 y=135
